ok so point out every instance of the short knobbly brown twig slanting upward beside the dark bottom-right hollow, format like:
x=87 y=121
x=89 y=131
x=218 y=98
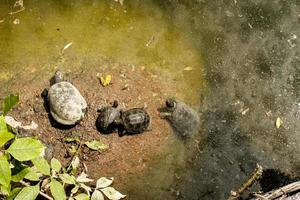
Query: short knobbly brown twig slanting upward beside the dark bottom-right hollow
x=256 y=174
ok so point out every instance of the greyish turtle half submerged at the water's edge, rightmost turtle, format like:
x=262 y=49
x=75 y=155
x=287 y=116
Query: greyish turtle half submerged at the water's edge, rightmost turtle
x=183 y=119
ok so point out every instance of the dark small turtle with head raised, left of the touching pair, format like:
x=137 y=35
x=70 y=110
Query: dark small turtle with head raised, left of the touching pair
x=106 y=121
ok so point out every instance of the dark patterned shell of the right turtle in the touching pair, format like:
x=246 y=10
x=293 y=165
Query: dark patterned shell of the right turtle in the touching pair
x=135 y=120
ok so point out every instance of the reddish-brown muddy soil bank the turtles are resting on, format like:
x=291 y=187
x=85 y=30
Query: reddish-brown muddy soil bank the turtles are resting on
x=127 y=155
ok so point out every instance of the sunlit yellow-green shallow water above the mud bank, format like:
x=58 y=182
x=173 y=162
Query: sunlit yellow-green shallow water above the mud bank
x=136 y=33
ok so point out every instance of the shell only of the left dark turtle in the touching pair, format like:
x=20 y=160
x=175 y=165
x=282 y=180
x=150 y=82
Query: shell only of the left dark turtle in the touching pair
x=106 y=117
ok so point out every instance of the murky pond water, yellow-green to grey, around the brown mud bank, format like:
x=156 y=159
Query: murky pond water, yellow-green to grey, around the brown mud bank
x=236 y=62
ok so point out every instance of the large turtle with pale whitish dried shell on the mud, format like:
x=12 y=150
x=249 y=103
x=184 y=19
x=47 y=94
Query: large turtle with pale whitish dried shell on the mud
x=67 y=106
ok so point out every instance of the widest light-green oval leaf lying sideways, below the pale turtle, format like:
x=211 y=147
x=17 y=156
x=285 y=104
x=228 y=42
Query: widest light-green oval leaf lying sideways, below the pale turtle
x=24 y=149
